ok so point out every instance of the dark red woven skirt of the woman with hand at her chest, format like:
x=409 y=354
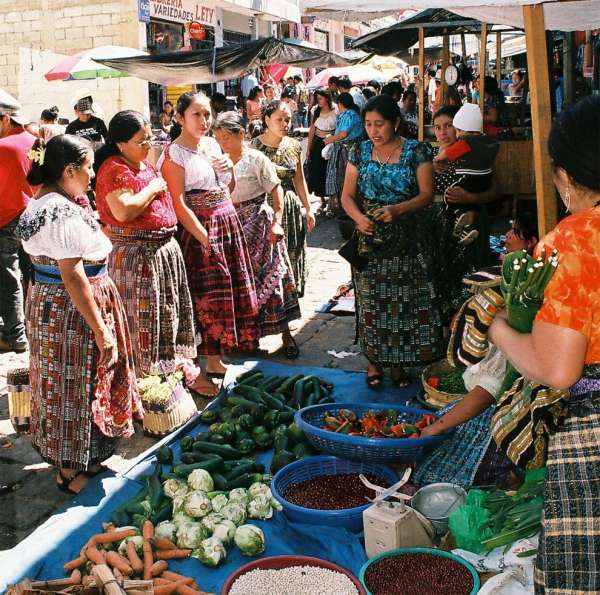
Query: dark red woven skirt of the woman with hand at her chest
x=220 y=278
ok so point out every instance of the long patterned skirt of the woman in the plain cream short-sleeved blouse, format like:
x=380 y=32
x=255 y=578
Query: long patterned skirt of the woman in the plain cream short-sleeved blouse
x=273 y=277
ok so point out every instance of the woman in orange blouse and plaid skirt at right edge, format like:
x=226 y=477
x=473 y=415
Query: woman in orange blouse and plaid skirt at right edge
x=563 y=351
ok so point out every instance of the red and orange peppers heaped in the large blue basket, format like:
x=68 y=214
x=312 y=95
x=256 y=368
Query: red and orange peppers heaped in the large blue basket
x=375 y=424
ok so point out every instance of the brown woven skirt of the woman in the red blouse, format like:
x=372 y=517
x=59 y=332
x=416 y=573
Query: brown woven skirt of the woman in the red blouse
x=148 y=270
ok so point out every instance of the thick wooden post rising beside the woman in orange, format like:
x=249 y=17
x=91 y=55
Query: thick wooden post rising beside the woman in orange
x=539 y=86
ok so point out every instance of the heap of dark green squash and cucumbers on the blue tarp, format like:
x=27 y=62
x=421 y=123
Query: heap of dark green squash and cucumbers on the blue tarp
x=257 y=415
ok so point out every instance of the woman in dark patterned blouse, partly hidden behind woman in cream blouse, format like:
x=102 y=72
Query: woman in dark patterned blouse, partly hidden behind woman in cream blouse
x=286 y=154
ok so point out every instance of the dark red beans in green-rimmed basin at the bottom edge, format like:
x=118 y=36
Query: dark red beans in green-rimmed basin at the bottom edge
x=418 y=574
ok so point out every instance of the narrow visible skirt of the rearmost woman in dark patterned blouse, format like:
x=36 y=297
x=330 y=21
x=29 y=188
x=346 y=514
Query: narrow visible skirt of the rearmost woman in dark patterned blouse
x=294 y=227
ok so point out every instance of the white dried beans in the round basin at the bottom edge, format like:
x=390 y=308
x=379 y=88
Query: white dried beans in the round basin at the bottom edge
x=295 y=580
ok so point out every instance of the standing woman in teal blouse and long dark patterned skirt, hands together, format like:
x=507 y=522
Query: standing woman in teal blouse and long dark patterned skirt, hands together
x=388 y=184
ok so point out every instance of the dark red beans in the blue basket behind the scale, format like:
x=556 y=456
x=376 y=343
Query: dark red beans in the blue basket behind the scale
x=332 y=492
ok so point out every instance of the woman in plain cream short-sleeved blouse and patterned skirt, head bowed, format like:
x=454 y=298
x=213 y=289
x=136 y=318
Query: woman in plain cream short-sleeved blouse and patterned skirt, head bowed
x=255 y=181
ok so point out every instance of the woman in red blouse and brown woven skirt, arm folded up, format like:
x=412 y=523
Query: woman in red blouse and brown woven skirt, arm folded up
x=146 y=263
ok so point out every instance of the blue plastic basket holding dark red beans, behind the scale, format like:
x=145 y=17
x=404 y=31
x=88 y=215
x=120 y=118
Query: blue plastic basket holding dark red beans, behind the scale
x=311 y=467
